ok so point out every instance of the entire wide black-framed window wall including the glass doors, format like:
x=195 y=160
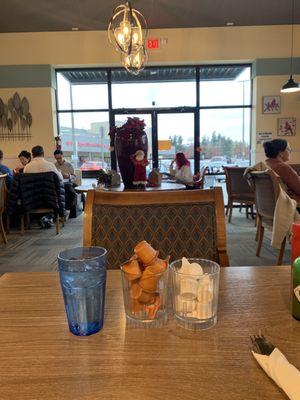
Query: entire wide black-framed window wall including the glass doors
x=203 y=111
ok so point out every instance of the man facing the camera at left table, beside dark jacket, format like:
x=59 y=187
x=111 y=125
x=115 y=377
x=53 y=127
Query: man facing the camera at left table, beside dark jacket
x=69 y=176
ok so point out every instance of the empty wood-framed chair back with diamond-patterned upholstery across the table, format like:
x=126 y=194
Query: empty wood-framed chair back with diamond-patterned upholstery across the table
x=177 y=223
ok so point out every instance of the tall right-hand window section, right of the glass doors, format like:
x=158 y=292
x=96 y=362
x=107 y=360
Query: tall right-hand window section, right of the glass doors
x=225 y=117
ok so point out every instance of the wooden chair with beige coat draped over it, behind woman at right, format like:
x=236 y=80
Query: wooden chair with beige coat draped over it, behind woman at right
x=266 y=188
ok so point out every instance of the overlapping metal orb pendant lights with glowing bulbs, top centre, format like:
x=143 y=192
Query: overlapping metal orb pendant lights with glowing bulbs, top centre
x=127 y=31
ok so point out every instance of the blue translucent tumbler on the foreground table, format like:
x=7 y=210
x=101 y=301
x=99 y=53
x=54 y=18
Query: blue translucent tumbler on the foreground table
x=82 y=272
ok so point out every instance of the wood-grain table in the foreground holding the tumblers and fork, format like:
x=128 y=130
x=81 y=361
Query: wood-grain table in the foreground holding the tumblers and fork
x=41 y=359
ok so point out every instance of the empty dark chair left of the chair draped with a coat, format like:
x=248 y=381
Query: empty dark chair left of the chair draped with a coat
x=238 y=190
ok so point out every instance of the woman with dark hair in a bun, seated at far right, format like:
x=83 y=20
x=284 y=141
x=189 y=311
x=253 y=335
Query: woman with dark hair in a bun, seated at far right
x=278 y=152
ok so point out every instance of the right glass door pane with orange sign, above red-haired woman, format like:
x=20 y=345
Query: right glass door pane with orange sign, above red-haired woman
x=175 y=134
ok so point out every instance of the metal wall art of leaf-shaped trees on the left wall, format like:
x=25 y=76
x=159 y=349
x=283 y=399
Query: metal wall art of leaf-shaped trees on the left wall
x=15 y=119
